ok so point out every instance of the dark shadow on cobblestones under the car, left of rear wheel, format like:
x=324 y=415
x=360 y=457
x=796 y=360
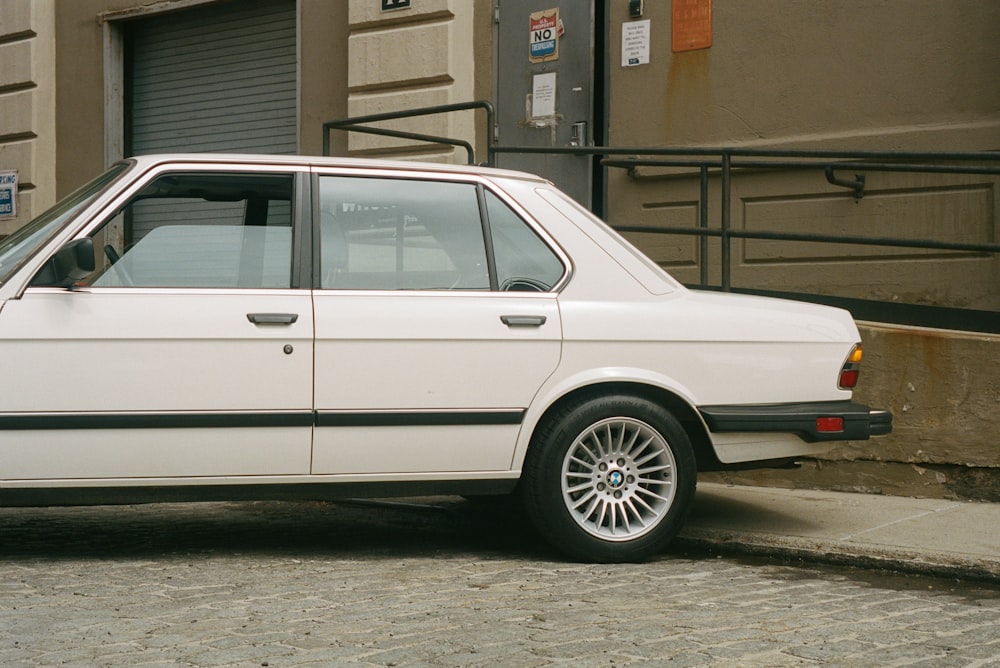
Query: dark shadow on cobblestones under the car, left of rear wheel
x=356 y=530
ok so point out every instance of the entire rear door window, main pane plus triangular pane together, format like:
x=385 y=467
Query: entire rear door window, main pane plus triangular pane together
x=402 y=234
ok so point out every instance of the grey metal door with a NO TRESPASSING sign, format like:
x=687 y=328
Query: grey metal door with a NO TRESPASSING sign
x=544 y=88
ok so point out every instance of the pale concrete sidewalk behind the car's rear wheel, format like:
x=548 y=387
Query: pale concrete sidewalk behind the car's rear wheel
x=927 y=536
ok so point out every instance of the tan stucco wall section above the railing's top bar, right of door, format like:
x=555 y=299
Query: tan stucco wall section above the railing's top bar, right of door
x=882 y=74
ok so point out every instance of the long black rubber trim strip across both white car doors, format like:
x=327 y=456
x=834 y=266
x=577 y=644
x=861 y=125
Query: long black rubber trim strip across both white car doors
x=86 y=421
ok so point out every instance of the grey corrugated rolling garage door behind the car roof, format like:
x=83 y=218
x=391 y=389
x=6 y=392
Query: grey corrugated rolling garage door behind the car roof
x=215 y=78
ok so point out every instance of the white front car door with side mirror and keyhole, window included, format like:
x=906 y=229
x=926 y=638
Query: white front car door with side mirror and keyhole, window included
x=186 y=354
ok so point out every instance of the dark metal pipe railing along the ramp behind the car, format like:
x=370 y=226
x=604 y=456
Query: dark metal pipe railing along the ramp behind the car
x=720 y=163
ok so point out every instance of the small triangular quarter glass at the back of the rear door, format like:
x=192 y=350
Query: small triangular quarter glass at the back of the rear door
x=524 y=263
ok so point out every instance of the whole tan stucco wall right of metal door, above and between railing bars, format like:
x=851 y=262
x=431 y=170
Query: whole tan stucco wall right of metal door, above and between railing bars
x=914 y=75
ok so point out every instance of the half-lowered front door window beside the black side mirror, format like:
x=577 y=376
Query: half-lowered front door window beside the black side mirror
x=200 y=230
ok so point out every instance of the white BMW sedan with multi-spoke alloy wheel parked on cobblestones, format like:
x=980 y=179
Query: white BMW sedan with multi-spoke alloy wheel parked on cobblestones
x=191 y=327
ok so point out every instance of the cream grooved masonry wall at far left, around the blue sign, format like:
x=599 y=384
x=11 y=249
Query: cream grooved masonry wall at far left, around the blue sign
x=27 y=104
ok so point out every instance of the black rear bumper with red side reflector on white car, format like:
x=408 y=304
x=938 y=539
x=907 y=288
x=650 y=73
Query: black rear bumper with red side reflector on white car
x=809 y=421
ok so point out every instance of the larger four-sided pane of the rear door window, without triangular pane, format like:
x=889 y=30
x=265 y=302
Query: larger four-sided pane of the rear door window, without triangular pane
x=400 y=234
